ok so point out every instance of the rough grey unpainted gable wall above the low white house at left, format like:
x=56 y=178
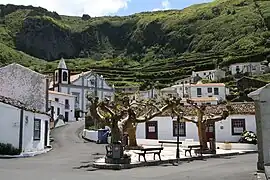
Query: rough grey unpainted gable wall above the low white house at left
x=25 y=85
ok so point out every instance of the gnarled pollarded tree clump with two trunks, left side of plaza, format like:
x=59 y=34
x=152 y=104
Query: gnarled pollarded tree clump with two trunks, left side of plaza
x=123 y=114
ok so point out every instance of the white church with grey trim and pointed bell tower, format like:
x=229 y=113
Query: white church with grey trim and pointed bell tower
x=79 y=85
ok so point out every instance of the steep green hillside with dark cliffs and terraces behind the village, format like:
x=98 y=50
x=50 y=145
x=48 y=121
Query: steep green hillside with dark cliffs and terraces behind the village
x=157 y=47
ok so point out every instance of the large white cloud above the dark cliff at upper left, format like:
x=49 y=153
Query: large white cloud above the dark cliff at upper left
x=76 y=7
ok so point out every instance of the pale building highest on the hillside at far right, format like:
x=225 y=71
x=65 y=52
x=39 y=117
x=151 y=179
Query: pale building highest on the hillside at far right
x=250 y=67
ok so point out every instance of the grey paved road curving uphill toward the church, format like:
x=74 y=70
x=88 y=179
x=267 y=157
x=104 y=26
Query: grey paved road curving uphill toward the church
x=71 y=152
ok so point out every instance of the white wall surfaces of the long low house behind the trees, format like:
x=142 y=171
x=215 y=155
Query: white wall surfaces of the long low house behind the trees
x=165 y=132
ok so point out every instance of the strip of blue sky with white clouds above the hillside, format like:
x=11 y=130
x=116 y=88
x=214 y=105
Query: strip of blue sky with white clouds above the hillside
x=105 y=7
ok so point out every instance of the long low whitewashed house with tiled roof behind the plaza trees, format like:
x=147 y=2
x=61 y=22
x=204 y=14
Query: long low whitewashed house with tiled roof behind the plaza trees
x=230 y=129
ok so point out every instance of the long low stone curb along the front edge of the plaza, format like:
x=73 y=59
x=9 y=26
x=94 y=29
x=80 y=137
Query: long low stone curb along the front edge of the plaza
x=157 y=163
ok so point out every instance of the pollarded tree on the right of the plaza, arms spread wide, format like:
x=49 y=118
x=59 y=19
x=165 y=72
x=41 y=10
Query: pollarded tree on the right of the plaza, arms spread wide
x=203 y=120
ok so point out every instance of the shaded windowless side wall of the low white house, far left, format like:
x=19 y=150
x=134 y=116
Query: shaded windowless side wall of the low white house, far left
x=9 y=124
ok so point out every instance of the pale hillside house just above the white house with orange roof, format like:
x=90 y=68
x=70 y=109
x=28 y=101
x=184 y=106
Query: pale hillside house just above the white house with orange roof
x=213 y=75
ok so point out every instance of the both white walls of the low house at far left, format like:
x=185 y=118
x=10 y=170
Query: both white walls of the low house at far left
x=10 y=128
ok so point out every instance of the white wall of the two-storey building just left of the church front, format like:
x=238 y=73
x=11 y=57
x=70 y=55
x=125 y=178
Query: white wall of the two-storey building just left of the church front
x=61 y=104
